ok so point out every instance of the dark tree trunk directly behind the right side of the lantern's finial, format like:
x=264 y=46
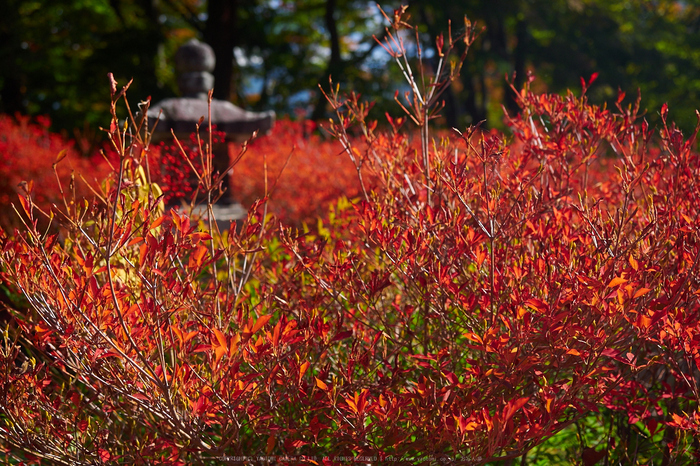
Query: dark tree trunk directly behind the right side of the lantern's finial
x=221 y=33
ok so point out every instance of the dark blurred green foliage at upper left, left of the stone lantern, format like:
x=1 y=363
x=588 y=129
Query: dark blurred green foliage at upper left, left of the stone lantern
x=56 y=55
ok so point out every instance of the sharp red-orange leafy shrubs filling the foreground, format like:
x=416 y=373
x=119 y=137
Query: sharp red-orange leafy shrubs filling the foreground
x=481 y=296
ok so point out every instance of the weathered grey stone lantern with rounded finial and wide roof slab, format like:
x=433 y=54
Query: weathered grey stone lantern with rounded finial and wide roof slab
x=194 y=62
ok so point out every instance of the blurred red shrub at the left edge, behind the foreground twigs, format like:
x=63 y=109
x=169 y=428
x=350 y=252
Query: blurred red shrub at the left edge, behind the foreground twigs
x=28 y=151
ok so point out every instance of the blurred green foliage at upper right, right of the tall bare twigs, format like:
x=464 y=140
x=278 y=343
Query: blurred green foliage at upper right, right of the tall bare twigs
x=651 y=46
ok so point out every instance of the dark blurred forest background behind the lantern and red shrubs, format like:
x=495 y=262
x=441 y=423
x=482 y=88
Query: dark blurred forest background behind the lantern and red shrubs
x=271 y=54
